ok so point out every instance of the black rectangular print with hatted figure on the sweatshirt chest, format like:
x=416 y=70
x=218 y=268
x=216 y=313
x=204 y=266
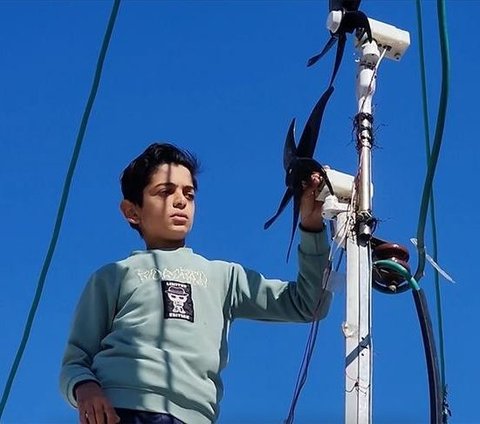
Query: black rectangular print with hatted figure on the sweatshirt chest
x=177 y=300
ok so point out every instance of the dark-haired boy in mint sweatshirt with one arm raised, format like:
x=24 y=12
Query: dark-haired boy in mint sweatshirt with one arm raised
x=149 y=338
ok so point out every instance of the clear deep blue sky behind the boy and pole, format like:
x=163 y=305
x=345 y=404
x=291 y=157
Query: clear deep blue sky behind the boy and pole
x=224 y=79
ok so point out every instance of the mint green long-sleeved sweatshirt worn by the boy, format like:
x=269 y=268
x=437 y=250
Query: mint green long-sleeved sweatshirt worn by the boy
x=152 y=329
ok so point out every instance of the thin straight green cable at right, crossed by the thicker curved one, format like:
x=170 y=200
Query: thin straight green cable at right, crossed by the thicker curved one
x=432 y=197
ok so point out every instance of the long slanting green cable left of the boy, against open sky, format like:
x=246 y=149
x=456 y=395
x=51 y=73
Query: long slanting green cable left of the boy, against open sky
x=61 y=208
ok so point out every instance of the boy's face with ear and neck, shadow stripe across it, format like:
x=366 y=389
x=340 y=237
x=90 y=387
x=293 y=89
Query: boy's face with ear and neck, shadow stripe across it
x=168 y=208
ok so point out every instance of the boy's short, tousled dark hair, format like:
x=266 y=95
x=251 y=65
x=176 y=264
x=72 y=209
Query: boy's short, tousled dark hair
x=137 y=175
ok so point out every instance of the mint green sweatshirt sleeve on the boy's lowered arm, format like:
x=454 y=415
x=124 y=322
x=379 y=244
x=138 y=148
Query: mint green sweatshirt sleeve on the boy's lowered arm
x=93 y=318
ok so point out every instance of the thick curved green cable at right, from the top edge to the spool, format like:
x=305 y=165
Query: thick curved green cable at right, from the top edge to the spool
x=432 y=163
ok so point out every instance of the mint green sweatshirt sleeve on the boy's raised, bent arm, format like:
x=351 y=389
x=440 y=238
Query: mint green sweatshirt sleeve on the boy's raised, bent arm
x=257 y=297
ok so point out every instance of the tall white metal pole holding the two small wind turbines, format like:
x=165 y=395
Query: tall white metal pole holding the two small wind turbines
x=357 y=327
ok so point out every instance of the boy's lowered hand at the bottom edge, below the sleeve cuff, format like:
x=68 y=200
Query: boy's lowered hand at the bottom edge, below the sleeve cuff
x=93 y=406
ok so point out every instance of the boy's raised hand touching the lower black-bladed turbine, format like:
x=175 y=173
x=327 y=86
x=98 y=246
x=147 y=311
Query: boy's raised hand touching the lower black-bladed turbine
x=310 y=209
